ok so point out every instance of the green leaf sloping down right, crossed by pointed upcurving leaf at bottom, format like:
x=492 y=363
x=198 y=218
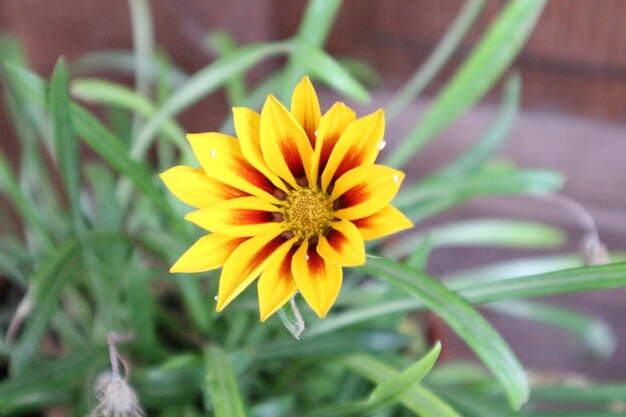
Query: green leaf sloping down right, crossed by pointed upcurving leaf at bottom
x=417 y=397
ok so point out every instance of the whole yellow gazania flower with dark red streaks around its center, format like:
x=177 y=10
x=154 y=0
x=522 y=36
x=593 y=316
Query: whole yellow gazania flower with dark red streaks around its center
x=291 y=199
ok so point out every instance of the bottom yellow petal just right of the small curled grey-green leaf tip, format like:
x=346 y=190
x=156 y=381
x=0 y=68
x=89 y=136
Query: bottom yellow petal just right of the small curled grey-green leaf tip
x=318 y=280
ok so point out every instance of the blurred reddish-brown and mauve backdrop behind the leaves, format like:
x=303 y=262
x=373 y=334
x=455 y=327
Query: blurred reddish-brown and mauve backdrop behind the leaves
x=573 y=116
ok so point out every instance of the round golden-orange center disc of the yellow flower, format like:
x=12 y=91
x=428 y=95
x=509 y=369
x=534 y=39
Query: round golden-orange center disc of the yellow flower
x=307 y=213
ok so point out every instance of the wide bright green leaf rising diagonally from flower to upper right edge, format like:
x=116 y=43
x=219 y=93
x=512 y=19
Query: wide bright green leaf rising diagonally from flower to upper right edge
x=493 y=54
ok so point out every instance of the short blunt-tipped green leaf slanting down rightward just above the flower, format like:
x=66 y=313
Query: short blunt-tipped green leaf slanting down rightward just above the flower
x=321 y=65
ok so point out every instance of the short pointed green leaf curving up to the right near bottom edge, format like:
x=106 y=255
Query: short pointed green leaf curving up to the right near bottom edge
x=387 y=392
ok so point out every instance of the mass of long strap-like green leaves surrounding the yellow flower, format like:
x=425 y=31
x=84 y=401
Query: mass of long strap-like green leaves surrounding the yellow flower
x=92 y=250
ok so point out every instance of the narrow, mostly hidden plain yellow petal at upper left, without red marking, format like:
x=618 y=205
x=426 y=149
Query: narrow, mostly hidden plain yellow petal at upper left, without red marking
x=247 y=127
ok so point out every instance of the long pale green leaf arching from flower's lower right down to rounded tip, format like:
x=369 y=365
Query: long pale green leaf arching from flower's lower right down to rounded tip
x=464 y=320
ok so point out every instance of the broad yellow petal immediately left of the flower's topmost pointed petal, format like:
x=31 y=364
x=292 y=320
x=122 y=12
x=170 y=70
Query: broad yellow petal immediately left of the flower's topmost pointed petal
x=285 y=146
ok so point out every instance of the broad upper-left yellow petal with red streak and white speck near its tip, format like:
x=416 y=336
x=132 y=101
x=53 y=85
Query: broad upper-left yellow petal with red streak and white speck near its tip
x=221 y=158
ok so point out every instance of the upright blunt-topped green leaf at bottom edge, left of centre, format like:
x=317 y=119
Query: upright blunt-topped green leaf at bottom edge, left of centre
x=221 y=386
